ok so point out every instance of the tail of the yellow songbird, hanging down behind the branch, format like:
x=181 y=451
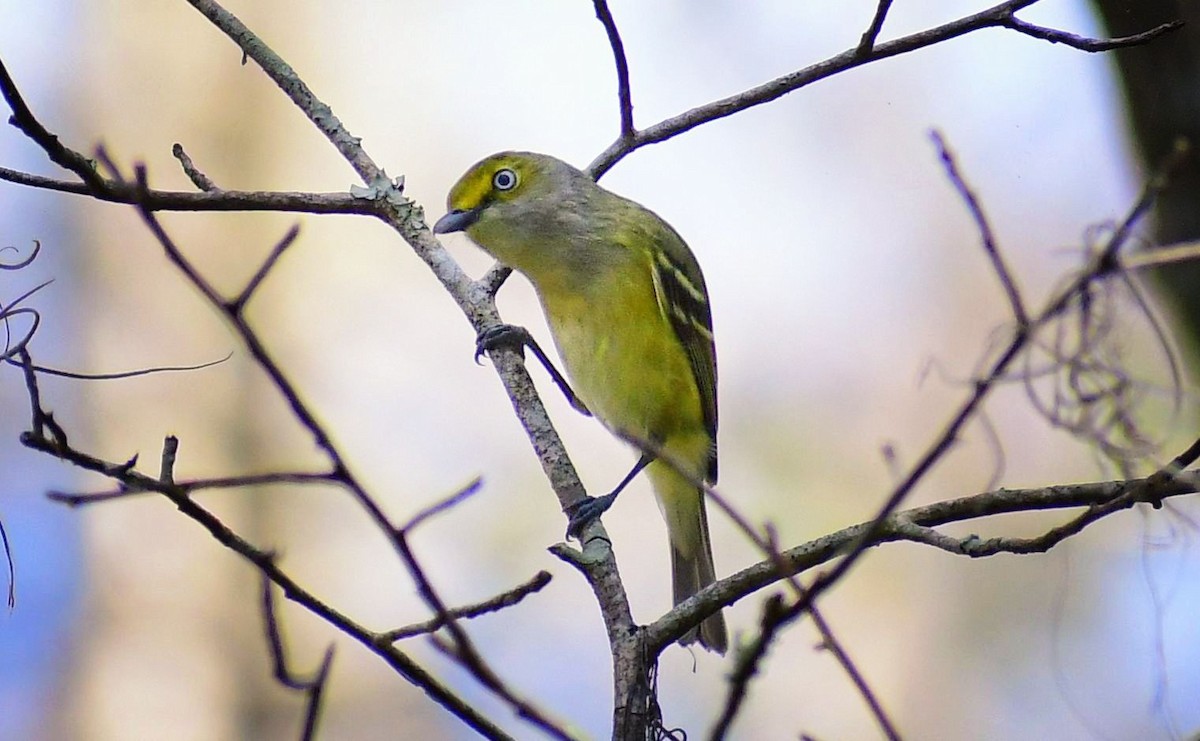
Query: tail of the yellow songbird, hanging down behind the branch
x=692 y=550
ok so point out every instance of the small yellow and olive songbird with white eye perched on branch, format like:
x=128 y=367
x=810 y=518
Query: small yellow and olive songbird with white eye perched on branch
x=628 y=309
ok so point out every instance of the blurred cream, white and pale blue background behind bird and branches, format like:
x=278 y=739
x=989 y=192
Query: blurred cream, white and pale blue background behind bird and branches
x=841 y=264
